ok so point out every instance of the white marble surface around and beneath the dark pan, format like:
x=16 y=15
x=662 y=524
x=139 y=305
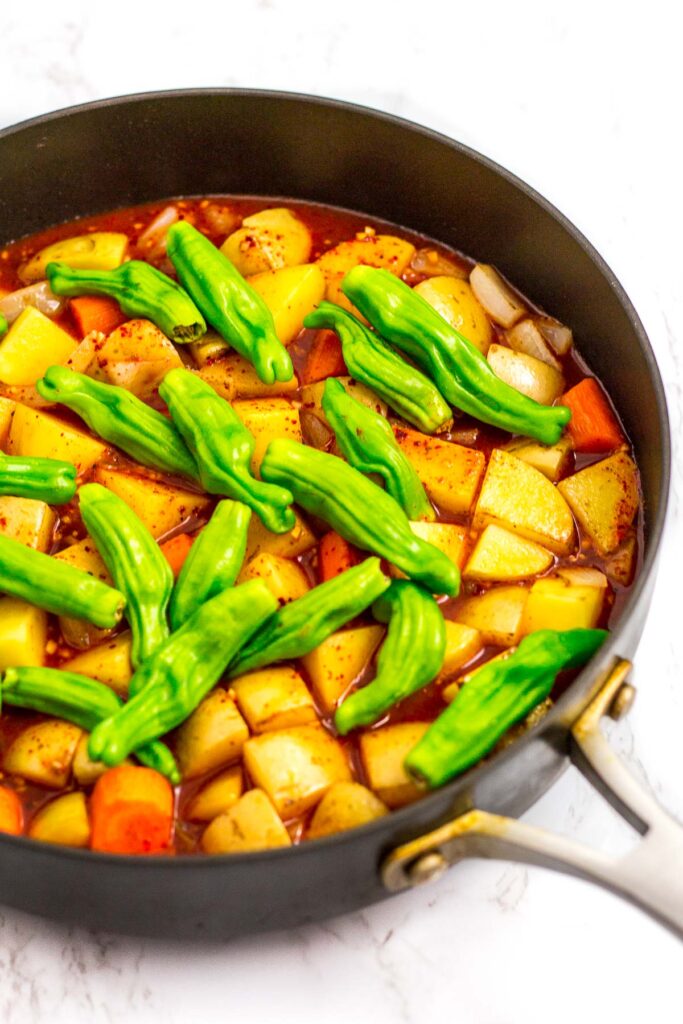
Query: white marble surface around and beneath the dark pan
x=583 y=102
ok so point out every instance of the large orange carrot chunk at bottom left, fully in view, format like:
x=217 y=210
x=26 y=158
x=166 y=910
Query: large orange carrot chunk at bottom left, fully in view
x=132 y=812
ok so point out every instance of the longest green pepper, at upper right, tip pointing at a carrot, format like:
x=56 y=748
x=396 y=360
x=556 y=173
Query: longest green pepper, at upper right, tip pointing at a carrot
x=458 y=368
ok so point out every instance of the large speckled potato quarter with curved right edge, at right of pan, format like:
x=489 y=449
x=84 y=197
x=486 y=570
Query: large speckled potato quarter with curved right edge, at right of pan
x=520 y=498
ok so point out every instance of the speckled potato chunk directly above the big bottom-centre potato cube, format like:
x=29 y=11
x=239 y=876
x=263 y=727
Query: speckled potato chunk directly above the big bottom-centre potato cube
x=274 y=699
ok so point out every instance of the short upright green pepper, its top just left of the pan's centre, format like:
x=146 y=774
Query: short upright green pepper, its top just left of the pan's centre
x=215 y=561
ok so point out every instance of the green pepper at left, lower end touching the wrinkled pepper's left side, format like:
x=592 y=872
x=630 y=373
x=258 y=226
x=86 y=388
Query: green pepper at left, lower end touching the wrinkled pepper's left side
x=120 y=418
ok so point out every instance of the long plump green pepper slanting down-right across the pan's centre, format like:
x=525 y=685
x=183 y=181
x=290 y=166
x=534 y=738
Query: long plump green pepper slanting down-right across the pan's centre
x=359 y=511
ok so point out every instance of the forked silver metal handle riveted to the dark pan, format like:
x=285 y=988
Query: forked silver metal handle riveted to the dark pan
x=650 y=876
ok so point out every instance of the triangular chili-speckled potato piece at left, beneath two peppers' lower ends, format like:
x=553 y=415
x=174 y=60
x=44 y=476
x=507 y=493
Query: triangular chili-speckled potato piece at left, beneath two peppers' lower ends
x=160 y=506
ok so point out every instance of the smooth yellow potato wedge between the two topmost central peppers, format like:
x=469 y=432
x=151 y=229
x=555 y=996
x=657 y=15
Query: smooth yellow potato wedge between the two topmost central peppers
x=290 y=294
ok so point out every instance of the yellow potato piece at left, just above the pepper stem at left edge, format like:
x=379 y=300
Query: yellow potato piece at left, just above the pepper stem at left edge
x=38 y=434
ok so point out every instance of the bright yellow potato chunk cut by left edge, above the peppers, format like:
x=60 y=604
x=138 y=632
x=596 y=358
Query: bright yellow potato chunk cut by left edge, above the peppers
x=33 y=344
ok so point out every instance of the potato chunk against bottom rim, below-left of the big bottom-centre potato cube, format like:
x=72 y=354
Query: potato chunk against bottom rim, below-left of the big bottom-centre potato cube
x=251 y=825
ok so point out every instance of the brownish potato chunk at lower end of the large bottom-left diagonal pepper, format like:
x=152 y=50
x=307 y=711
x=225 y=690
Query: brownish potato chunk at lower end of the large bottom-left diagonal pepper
x=212 y=737
